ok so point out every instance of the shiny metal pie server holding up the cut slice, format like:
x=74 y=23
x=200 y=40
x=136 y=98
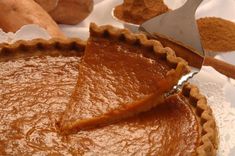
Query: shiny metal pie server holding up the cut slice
x=180 y=26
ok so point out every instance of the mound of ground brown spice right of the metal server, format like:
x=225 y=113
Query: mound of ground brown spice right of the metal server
x=217 y=34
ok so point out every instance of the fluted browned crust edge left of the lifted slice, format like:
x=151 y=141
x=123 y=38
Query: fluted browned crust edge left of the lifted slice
x=39 y=47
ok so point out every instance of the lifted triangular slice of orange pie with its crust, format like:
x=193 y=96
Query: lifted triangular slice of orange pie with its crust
x=121 y=74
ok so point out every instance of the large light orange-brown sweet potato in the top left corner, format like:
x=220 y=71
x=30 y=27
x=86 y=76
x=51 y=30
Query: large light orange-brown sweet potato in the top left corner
x=16 y=13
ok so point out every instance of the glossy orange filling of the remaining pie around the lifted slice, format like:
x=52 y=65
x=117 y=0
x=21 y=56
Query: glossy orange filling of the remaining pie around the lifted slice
x=35 y=91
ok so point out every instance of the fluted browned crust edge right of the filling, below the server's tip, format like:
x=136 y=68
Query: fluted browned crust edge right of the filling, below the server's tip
x=208 y=142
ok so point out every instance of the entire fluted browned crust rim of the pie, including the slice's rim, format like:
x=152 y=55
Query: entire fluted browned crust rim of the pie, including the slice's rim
x=208 y=130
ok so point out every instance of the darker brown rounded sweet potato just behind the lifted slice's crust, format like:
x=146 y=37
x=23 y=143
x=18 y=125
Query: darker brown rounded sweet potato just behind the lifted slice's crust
x=71 y=11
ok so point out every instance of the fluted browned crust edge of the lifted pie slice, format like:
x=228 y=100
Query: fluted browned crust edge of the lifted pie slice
x=179 y=65
